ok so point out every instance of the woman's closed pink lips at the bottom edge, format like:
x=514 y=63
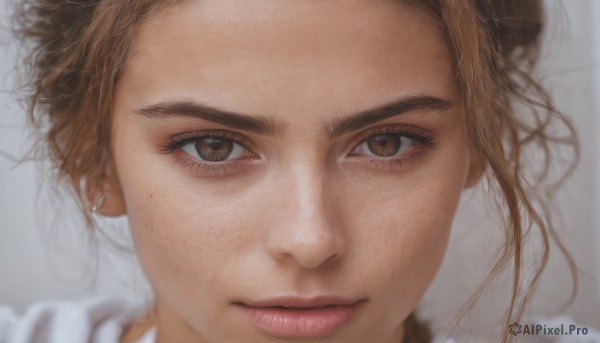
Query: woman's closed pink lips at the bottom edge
x=295 y=317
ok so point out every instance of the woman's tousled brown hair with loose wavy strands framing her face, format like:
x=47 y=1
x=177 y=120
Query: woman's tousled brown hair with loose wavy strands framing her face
x=79 y=48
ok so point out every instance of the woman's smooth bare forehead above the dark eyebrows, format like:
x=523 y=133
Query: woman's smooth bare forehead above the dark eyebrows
x=250 y=52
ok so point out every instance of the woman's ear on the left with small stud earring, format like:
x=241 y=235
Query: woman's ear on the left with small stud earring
x=107 y=185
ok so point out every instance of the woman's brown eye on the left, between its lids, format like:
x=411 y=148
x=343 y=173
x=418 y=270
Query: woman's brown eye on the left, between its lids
x=214 y=149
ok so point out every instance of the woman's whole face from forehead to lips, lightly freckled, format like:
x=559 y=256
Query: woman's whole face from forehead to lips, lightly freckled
x=290 y=169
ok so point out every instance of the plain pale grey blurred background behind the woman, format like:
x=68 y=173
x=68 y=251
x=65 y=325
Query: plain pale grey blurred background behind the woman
x=45 y=252
